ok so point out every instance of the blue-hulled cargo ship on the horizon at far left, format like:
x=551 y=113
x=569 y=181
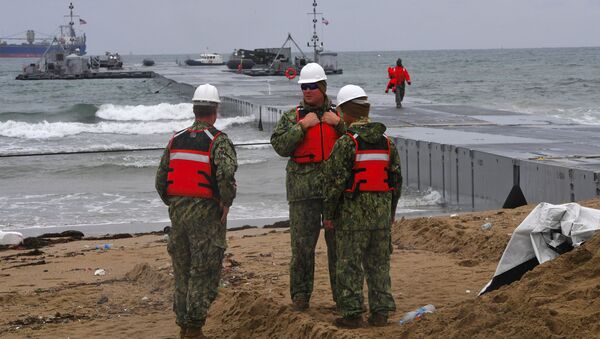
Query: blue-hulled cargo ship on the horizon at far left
x=28 y=47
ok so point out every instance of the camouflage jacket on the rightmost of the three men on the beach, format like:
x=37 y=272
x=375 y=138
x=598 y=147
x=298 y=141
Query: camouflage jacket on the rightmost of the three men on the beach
x=359 y=210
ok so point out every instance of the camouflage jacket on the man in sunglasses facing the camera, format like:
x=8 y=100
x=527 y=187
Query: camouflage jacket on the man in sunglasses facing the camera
x=303 y=181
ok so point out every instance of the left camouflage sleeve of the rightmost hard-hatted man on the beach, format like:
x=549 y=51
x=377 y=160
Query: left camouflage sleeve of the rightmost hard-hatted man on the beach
x=338 y=171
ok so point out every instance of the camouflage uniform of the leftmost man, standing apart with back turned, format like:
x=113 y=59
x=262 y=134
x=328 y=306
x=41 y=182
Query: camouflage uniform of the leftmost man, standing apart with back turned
x=197 y=238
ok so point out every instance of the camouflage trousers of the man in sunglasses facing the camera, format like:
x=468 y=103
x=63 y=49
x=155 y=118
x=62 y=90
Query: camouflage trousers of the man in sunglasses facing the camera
x=305 y=227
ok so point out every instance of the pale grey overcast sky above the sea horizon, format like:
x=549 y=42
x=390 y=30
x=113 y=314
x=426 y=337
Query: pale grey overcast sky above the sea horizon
x=194 y=26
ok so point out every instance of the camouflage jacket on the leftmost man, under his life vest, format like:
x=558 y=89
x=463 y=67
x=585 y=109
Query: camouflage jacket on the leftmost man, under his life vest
x=224 y=162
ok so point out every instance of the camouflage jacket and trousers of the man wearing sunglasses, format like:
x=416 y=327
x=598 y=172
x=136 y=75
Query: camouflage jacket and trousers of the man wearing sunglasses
x=304 y=184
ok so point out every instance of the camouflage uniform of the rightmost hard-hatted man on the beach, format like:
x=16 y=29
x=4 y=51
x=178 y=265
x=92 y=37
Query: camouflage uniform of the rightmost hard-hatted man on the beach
x=362 y=225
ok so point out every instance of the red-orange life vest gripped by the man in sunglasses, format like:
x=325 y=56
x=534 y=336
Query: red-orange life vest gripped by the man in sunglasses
x=318 y=140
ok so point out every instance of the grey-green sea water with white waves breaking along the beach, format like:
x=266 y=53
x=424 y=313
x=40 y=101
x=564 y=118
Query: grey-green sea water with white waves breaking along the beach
x=117 y=114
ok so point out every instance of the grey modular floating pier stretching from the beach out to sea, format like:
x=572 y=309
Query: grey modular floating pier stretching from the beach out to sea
x=476 y=158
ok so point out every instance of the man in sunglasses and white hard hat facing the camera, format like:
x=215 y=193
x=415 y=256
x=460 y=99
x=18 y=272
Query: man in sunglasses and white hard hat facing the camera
x=306 y=134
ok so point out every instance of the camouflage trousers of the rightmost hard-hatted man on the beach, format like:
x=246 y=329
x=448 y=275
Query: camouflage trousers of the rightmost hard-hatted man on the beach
x=363 y=253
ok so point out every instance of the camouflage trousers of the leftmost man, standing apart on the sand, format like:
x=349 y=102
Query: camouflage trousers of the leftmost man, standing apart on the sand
x=196 y=248
